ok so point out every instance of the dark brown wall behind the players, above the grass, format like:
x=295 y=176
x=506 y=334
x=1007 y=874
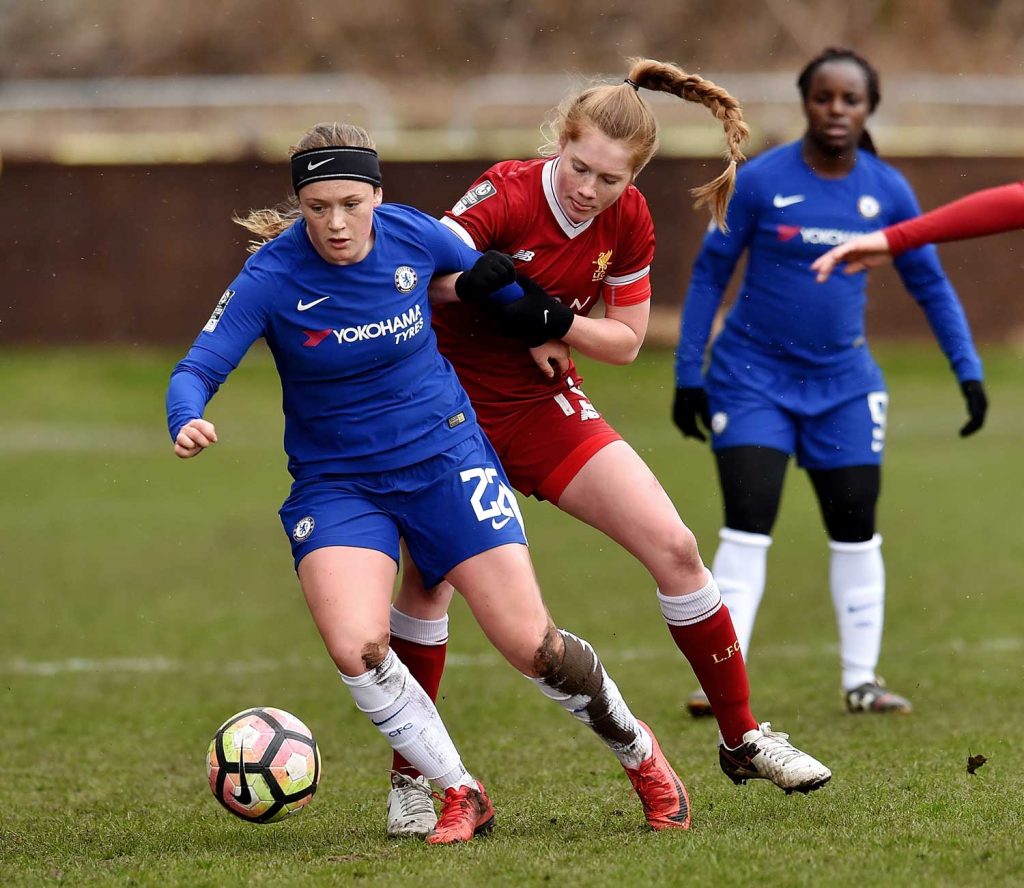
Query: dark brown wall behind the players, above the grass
x=141 y=256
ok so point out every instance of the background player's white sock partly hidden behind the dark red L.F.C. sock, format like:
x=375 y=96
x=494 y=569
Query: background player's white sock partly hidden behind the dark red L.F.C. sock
x=741 y=566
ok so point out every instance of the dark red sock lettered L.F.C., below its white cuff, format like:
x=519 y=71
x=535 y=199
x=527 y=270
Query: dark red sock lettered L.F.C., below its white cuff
x=713 y=651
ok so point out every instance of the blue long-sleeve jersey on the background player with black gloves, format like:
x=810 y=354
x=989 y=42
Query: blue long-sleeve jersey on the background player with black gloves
x=786 y=217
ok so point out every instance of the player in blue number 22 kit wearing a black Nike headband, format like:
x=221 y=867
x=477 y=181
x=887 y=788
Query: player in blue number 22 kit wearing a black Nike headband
x=382 y=443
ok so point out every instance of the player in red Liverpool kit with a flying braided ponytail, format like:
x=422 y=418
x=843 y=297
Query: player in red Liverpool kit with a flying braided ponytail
x=575 y=223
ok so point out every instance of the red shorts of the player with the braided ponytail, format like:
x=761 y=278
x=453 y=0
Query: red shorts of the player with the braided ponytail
x=543 y=445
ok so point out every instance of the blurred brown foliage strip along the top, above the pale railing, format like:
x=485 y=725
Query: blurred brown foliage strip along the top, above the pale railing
x=407 y=41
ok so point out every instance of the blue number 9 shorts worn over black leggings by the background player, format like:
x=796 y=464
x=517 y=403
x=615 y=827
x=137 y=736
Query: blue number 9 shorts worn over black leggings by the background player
x=829 y=421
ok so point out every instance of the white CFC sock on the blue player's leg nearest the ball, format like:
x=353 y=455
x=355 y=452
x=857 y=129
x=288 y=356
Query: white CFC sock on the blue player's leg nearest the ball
x=402 y=711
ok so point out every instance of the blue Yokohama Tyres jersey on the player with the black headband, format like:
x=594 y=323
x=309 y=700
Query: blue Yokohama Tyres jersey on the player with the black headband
x=364 y=386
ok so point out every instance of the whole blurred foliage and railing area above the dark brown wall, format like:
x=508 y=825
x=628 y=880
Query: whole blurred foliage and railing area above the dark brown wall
x=110 y=81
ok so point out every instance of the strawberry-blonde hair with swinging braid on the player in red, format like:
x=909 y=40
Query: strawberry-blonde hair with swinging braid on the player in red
x=618 y=111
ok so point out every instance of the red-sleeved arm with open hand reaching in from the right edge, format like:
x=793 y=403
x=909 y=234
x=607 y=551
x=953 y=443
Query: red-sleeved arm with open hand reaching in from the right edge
x=986 y=213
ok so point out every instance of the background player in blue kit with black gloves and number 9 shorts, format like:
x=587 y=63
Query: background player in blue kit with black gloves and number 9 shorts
x=791 y=372
